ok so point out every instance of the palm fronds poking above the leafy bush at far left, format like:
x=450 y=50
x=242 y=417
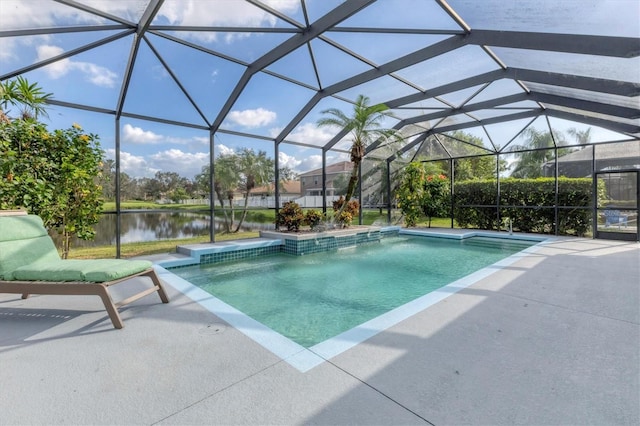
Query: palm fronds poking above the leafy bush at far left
x=29 y=98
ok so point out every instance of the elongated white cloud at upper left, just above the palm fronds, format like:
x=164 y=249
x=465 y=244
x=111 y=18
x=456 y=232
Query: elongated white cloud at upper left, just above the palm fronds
x=95 y=74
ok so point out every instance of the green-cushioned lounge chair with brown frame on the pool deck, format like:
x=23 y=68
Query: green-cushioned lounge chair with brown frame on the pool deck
x=30 y=264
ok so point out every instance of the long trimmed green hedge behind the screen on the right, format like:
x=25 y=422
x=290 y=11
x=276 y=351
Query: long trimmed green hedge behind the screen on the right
x=528 y=203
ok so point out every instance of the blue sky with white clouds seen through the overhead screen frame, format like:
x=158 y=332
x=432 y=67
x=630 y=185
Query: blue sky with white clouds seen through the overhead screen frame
x=268 y=103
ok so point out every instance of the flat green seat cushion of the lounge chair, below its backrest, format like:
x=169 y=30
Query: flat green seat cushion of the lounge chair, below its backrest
x=89 y=270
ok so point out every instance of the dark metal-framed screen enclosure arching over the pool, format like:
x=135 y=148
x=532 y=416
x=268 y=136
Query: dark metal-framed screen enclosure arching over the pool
x=169 y=86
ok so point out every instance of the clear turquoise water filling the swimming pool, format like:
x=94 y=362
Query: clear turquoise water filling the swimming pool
x=312 y=298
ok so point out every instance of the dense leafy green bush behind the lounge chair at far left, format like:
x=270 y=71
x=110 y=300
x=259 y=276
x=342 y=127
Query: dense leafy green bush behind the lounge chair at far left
x=54 y=175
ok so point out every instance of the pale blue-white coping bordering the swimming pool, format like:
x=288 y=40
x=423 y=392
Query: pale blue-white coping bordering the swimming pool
x=304 y=359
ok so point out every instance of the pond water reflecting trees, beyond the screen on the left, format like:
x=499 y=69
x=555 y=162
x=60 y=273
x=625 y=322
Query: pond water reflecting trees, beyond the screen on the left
x=141 y=226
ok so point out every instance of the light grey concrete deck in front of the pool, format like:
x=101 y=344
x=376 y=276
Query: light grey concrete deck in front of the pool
x=552 y=338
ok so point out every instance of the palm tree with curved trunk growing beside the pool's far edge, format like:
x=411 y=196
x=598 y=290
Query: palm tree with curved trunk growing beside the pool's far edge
x=365 y=127
